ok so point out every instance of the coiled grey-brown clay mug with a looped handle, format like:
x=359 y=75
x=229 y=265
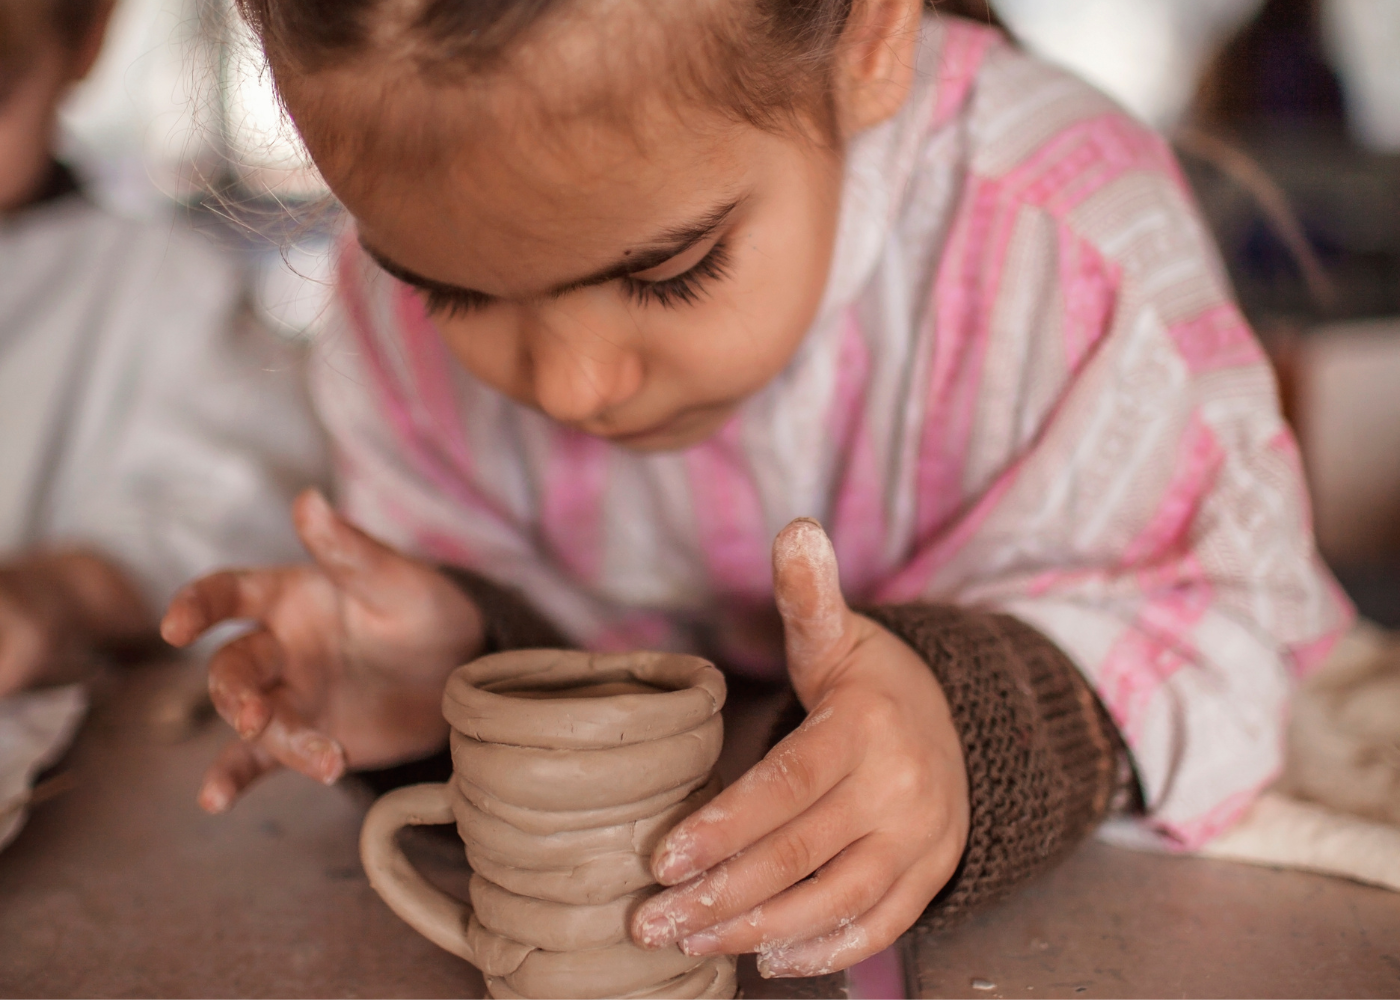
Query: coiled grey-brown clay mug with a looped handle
x=568 y=771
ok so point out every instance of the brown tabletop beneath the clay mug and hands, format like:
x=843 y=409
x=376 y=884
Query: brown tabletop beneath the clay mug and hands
x=122 y=887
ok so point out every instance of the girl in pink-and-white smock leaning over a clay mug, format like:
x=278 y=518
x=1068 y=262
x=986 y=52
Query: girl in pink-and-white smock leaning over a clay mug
x=638 y=285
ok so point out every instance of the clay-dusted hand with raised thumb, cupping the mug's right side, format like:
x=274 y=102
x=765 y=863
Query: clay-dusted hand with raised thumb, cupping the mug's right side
x=834 y=845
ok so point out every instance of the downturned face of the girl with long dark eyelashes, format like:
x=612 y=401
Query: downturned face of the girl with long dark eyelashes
x=638 y=289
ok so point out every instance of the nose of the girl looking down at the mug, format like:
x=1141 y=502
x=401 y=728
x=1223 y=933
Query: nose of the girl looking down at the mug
x=580 y=370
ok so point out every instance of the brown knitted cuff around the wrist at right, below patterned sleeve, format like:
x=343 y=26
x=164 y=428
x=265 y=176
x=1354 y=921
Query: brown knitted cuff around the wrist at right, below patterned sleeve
x=1042 y=754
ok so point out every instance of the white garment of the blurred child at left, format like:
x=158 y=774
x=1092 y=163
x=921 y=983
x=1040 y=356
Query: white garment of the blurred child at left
x=139 y=414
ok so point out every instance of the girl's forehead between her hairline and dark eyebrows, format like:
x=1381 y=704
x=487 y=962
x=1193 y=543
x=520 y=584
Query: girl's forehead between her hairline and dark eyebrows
x=509 y=197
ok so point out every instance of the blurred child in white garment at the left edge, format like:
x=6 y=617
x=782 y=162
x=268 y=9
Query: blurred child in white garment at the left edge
x=128 y=463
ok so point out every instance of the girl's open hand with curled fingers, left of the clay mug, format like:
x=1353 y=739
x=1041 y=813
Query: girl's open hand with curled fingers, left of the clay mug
x=349 y=662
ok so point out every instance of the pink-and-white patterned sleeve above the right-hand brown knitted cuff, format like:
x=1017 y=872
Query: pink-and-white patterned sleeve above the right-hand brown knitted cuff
x=1111 y=461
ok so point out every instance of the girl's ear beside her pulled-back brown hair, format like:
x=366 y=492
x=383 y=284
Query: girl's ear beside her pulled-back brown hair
x=876 y=62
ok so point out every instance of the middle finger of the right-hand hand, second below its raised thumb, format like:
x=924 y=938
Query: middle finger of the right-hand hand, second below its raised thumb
x=757 y=875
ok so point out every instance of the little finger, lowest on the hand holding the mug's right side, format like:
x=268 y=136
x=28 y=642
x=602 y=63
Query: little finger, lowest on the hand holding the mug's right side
x=855 y=940
